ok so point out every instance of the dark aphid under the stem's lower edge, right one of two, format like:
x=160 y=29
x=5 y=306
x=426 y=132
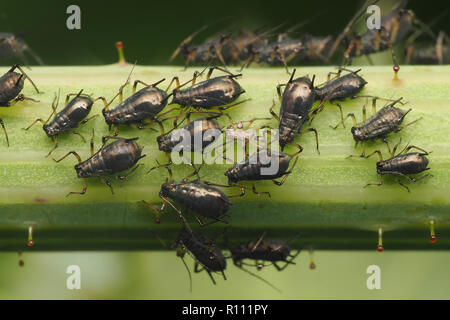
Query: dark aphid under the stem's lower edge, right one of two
x=269 y=250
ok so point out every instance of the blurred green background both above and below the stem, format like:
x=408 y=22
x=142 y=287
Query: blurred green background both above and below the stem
x=151 y=30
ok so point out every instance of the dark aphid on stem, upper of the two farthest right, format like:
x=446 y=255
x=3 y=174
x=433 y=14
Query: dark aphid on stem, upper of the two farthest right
x=380 y=124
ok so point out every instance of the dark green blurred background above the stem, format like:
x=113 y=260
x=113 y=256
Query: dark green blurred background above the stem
x=151 y=30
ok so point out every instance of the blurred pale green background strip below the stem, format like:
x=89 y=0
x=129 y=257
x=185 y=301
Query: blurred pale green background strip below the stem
x=161 y=275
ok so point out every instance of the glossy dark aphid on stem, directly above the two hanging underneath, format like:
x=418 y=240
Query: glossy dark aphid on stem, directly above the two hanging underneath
x=201 y=197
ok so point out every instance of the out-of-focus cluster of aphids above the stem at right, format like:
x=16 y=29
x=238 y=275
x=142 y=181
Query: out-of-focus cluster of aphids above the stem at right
x=293 y=47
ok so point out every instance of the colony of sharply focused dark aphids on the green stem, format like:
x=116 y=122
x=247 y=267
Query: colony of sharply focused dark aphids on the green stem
x=211 y=98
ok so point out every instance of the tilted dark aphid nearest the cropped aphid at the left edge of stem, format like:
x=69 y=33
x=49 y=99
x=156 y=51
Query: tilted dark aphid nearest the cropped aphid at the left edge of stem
x=69 y=118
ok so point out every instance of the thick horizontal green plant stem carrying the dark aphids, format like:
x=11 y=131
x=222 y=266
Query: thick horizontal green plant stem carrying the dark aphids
x=324 y=198
